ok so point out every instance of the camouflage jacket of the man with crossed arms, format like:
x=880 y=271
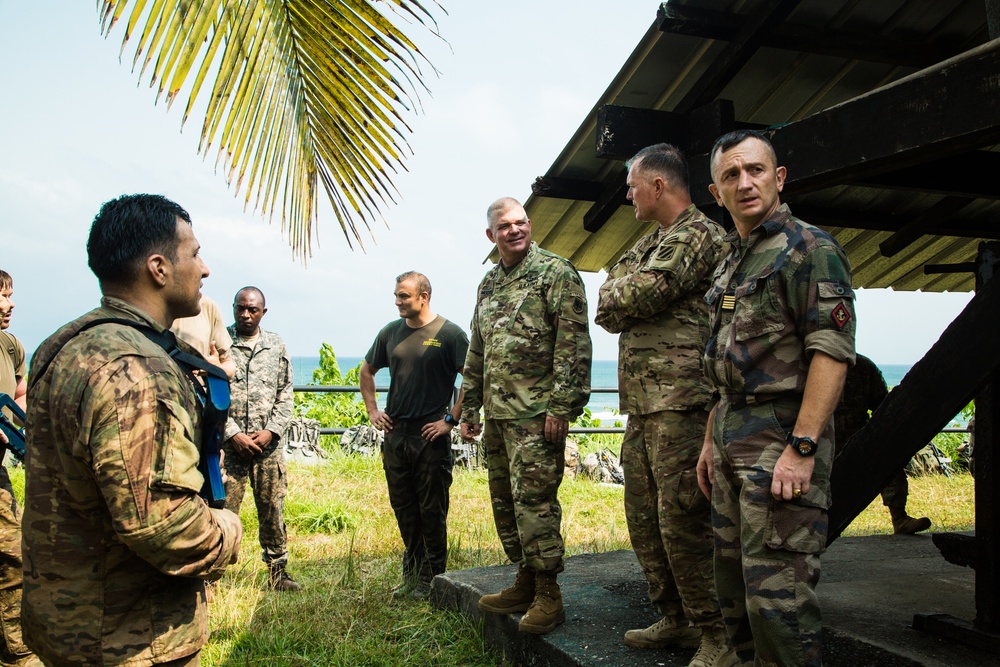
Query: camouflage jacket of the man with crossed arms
x=654 y=296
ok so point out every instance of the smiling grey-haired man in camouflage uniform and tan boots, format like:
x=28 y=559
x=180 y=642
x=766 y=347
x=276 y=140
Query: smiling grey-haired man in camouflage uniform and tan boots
x=528 y=367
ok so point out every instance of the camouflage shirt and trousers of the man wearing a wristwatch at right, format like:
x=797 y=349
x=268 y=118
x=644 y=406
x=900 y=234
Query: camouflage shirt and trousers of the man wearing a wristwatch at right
x=783 y=293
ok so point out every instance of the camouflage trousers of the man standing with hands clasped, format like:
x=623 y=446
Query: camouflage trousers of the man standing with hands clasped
x=269 y=481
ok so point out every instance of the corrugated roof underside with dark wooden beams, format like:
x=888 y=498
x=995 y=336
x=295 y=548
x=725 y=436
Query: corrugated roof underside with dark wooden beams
x=885 y=113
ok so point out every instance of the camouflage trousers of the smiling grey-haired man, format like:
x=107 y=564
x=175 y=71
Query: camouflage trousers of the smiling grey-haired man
x=524 y=476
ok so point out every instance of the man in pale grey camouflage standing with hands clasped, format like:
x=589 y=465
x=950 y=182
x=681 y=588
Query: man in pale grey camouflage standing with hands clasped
x=261 y=407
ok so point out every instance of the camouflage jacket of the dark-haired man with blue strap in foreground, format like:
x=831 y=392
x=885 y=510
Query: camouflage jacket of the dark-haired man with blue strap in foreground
x=116 y=539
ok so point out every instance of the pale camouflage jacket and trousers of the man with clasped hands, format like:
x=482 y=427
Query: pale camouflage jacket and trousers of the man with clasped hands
x=261 y=399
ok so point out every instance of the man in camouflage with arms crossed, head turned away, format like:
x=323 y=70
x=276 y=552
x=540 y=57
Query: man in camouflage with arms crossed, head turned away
x=654 y=297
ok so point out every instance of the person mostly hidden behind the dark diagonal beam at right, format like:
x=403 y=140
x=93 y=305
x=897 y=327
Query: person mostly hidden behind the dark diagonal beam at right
x=864 y=390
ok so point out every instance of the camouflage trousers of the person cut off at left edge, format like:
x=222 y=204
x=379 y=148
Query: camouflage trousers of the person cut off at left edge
x=13 y=651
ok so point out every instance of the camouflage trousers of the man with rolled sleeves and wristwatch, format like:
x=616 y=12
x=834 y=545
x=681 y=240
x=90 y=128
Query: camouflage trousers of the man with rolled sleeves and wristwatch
x=767 y=551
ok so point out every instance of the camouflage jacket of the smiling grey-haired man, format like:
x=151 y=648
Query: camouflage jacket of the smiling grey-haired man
x=530 y=351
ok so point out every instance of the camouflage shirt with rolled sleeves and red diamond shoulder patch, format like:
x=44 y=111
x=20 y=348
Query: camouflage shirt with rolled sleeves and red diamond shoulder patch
x=781 y=294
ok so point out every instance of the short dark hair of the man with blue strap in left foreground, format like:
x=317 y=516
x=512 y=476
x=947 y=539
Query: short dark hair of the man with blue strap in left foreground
x=129 y=229
